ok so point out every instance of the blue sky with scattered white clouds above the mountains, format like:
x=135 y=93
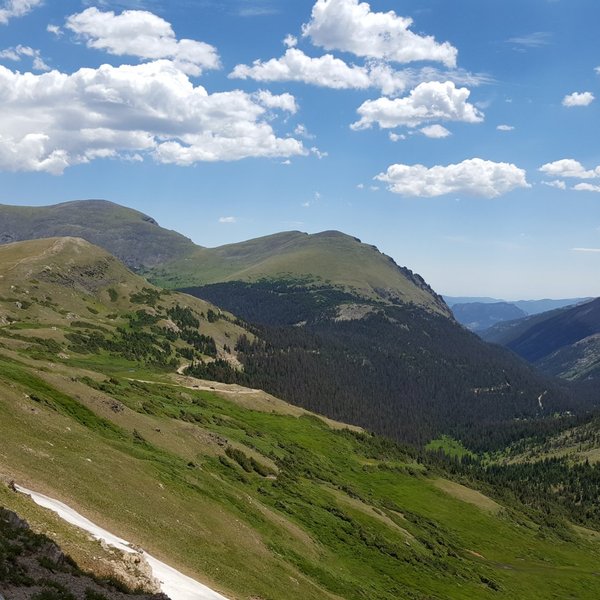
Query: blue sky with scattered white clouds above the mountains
x=460 y=138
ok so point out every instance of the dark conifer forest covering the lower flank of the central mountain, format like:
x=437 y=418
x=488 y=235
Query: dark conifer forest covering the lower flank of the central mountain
x=400 y=370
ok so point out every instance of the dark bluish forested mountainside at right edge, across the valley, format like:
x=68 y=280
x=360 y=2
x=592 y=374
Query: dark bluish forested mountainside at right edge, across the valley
x=563 y=342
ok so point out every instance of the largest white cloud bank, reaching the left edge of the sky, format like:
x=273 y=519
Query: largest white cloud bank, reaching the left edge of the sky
x=55 y=120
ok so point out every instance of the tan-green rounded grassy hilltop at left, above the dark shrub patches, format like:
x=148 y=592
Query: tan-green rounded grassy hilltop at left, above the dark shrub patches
x=48 y=286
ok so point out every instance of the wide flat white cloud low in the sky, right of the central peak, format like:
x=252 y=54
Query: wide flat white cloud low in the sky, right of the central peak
x=476 y=177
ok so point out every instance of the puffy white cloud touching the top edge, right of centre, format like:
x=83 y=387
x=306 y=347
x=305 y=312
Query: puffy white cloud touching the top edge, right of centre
x=351 y=26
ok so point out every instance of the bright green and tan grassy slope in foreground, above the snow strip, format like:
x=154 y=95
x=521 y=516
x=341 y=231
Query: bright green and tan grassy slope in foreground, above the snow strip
x=343 y=518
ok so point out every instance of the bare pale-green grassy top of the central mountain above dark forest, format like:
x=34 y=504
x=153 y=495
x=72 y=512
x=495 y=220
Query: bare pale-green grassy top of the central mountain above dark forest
x=330 y=258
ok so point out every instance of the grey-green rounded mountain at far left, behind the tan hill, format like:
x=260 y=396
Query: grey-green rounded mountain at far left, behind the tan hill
x=131 y=236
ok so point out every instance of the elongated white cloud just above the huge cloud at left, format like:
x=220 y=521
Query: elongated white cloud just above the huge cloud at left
x=142 y=34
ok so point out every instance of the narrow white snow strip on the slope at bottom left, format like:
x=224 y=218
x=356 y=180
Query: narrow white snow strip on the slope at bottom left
x=174 y=584
